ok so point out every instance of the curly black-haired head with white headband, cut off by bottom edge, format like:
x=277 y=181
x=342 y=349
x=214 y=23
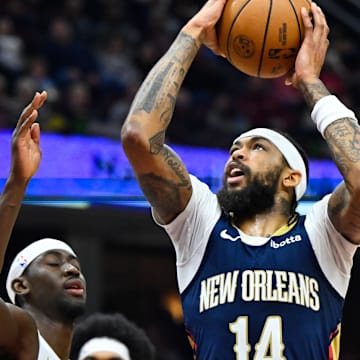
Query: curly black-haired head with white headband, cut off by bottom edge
x=110 y=337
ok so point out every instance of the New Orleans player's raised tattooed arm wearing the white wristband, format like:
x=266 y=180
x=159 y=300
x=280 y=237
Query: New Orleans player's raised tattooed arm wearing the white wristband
x=335 y=122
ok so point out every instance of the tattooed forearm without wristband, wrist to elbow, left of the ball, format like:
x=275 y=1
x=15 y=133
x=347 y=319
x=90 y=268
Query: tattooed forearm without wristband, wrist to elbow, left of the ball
x=161 y=87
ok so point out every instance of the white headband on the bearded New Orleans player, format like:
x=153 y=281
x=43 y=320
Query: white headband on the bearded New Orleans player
x=287 y=149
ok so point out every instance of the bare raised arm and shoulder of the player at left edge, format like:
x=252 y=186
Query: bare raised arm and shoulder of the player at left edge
x=25 y=160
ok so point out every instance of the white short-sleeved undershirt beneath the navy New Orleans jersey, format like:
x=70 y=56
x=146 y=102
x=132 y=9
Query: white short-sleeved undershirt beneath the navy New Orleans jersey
x=190 y=233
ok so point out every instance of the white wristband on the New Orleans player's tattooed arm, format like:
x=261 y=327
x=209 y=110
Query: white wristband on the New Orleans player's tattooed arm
x=327 y=110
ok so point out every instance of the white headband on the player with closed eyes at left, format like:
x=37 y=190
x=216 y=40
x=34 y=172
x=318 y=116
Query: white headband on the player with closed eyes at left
x=23 y=259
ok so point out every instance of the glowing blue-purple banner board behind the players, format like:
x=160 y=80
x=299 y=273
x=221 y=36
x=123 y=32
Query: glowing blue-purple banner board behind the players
x=79 y=167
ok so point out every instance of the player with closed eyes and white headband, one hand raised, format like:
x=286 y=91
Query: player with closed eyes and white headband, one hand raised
x=44 y=283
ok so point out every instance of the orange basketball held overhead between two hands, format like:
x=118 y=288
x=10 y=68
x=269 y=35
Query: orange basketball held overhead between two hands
x=261 y=38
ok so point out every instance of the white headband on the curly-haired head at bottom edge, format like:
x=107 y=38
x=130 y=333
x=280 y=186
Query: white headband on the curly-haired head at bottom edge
x=104 y=344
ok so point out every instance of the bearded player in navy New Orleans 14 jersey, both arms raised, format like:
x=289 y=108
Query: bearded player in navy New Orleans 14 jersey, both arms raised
x=257 y=281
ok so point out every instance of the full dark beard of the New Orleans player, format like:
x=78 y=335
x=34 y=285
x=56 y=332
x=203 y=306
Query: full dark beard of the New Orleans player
x=258 y=197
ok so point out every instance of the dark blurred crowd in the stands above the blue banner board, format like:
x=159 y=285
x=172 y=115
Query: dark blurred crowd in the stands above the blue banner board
x=91 y=57
